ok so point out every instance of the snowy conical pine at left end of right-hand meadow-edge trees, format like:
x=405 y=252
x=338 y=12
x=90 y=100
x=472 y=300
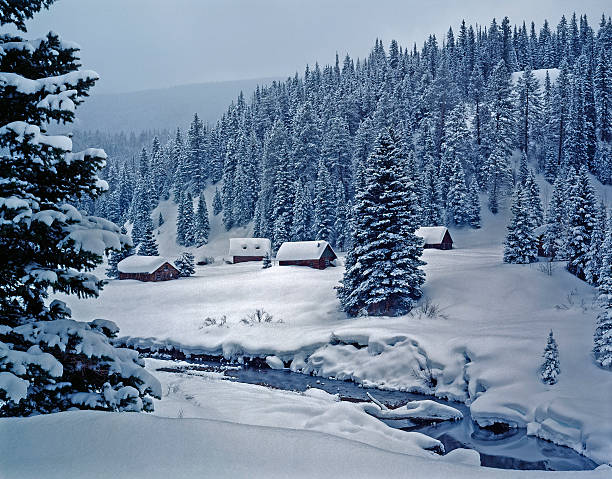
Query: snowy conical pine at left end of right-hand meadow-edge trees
x=520 y=244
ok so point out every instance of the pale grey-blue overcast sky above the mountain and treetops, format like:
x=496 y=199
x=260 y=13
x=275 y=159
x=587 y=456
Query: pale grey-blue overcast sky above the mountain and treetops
x=143 y=44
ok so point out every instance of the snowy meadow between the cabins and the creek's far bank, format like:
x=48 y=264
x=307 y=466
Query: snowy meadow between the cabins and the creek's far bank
x=484 y=346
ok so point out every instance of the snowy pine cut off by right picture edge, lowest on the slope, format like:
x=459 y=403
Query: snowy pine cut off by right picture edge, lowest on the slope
x=602 y=339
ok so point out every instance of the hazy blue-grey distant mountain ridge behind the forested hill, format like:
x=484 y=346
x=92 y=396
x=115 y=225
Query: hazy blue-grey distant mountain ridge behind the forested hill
x=160 y=109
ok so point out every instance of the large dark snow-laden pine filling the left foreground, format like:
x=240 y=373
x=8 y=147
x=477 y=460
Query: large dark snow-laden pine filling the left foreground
x=47 y=244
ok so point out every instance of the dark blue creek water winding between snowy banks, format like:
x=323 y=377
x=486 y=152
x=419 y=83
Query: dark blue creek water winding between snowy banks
x=502 y=448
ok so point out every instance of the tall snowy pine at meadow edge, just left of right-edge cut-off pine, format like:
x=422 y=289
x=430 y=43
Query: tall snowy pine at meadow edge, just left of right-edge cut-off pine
x=582 y=216
